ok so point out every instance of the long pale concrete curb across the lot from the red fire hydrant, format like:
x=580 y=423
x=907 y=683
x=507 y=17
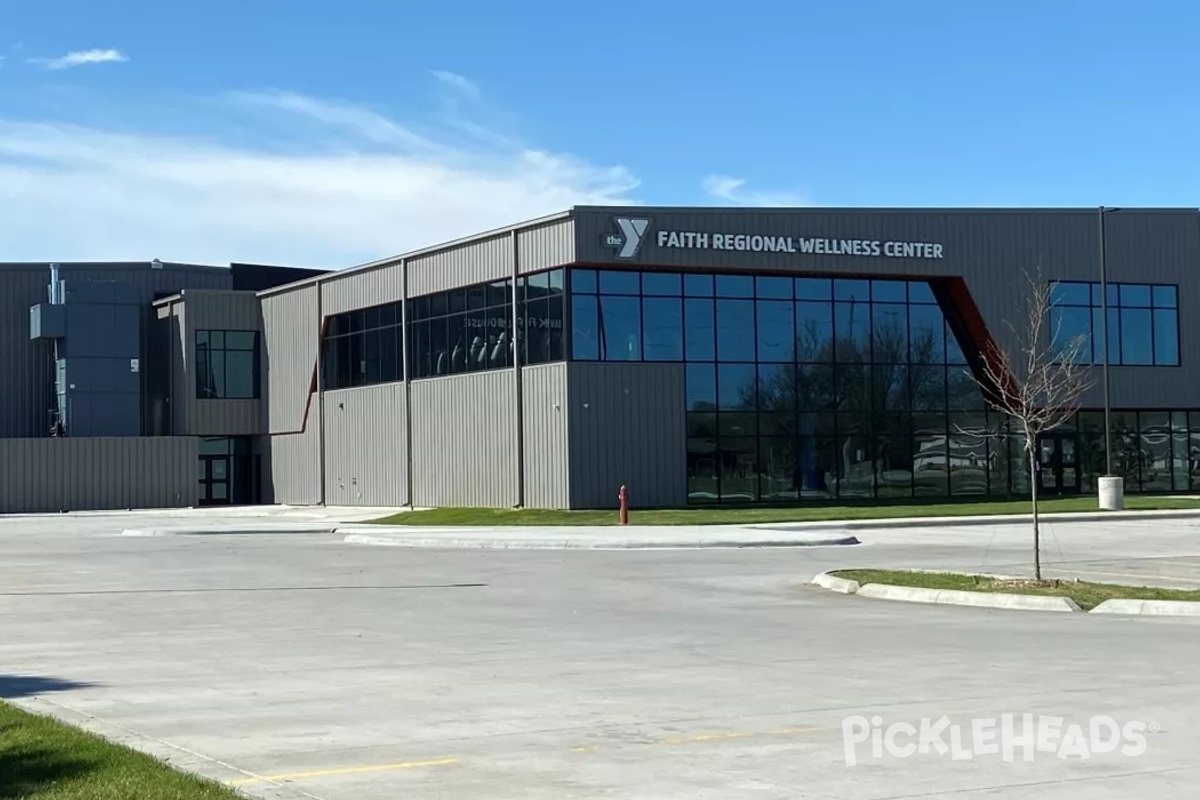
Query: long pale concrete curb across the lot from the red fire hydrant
x=466 y=542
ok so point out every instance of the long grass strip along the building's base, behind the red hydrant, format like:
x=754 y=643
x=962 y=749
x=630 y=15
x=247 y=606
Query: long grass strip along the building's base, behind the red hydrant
x=730 y=515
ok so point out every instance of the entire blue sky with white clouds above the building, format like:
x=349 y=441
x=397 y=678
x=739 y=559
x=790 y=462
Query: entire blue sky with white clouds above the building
x=293 y=133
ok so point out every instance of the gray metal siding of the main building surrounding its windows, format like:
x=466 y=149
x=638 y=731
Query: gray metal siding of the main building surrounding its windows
x=569 y=435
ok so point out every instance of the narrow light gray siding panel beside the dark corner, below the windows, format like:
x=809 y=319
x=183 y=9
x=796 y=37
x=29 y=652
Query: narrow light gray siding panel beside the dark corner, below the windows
x=545 y=432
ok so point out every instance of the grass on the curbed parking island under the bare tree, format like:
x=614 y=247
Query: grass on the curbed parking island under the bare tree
x=1087 y=596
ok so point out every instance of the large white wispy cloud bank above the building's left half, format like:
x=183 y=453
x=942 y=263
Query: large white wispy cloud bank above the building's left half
x=326 y=184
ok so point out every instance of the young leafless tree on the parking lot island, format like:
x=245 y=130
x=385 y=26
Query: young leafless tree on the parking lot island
x=1039 y=382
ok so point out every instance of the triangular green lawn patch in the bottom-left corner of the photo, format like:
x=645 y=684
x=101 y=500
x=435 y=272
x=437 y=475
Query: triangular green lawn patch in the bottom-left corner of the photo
x=46 y=760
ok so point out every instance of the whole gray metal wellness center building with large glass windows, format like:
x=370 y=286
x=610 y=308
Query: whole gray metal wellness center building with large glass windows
x=694 y=356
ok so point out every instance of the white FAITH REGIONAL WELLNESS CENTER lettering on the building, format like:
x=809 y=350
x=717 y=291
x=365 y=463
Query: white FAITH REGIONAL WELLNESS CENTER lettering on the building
x=767 y=244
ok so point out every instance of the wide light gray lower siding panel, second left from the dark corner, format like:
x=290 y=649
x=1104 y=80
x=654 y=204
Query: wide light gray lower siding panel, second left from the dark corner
x=464 y=441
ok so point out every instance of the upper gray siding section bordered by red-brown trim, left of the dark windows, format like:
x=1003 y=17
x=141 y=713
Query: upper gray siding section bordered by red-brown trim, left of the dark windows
x=290 y=357
